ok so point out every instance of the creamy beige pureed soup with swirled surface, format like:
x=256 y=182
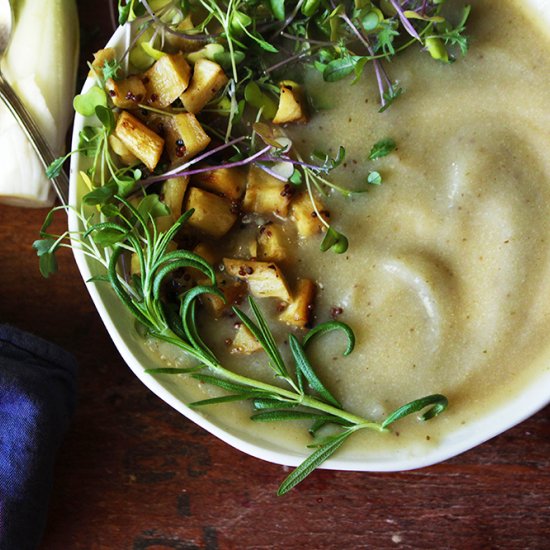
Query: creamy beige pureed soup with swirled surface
x=446 y=282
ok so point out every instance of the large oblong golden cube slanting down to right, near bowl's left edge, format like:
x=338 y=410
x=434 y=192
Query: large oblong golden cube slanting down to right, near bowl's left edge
x=140 y=140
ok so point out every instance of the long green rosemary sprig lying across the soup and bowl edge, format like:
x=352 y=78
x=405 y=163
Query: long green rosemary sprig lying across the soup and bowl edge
x=298 y=394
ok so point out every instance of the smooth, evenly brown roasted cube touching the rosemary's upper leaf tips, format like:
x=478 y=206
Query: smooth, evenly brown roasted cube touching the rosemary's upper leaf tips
x=213 y=214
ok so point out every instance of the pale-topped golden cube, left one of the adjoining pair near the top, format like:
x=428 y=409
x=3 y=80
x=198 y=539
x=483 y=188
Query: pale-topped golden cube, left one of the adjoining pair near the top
x=167 y=79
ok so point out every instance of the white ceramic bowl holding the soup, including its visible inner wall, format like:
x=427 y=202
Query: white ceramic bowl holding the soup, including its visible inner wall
x=175 y=391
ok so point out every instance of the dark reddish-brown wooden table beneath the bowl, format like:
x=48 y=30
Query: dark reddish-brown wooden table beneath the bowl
x=133 y=473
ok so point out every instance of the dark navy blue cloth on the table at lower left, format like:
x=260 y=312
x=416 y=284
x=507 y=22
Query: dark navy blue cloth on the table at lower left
x=37 y=399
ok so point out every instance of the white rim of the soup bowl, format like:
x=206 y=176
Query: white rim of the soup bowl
x=533 y=398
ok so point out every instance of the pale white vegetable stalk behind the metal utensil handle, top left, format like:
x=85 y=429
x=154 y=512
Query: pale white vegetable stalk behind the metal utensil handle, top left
x=40 y=64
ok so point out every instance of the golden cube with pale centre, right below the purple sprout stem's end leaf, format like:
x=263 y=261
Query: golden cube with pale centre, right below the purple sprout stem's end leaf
x=265 y=194
